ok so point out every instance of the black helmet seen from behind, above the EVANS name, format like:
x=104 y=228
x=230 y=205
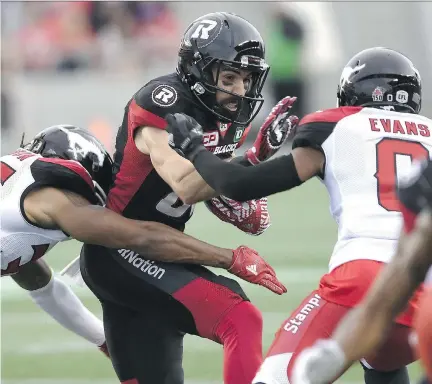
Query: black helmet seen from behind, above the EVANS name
x=383 y=78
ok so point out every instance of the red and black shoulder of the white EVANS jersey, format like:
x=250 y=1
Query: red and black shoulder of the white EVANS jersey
x=316 y=127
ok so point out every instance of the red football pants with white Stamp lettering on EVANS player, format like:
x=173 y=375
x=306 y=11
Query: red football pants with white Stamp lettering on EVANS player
x=318 y=315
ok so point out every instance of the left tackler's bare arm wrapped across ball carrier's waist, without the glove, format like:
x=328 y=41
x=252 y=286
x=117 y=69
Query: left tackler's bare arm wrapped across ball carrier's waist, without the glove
x=93 y=224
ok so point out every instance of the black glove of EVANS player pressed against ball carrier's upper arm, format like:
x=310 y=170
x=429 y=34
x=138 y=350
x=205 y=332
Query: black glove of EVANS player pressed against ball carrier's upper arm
x=186 y=135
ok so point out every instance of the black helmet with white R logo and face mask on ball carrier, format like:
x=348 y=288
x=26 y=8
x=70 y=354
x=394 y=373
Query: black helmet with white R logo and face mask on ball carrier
x=223 y=39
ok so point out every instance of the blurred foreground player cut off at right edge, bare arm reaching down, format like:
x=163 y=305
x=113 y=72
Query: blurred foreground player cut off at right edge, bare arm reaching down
x=363 y=330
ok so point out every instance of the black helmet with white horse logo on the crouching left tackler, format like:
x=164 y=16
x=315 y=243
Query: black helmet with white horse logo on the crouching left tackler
x=73 y=143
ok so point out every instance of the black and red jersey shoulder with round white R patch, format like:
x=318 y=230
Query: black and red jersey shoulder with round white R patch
x=158 y=98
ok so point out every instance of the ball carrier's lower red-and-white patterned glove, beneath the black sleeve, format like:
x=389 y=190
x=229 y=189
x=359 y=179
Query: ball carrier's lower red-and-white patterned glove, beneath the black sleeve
x=251 y=217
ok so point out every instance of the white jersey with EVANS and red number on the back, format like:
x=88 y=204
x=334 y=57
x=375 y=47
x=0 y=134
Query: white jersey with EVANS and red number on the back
x=366 y=151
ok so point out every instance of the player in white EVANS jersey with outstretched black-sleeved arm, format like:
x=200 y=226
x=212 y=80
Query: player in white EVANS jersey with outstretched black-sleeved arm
x=357 y=150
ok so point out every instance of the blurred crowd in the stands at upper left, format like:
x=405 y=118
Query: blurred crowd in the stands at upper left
x=68 y=36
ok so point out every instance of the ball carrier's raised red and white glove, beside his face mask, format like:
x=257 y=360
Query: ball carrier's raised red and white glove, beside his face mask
x=273 y=132
